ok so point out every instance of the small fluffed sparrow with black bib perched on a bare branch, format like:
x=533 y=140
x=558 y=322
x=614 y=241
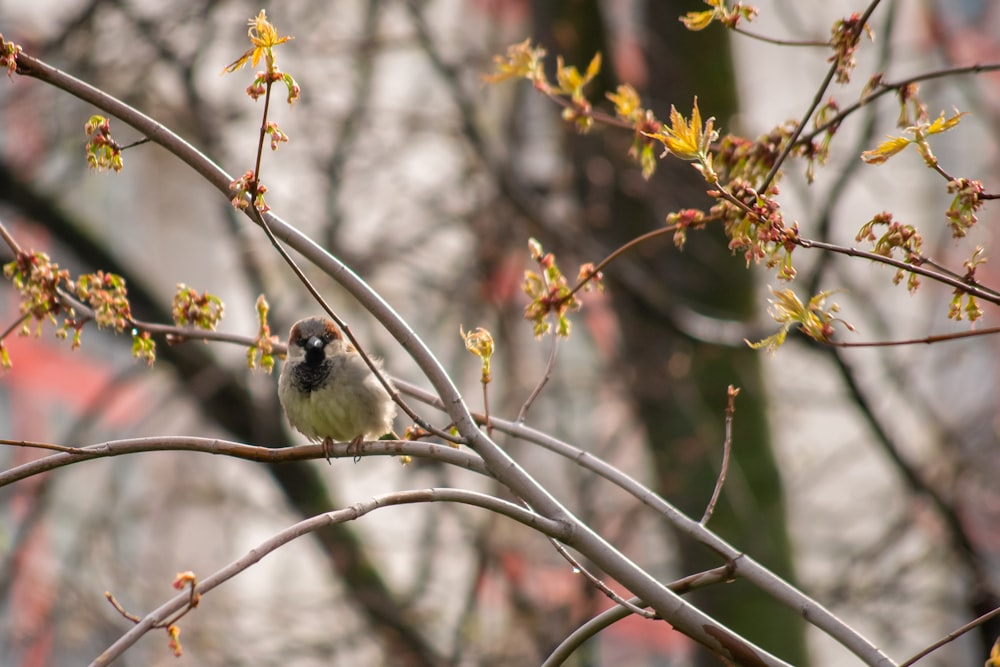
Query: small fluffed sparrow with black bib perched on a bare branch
x=327 y=390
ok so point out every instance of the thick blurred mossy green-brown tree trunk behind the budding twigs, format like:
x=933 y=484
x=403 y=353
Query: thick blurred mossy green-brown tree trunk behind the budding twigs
x=678 y=384
